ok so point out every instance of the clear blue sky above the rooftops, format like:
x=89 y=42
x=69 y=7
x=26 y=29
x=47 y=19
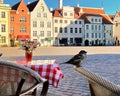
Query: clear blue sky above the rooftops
x=110 y=6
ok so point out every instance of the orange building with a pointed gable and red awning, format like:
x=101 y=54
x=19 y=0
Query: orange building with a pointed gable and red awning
x=19 y=22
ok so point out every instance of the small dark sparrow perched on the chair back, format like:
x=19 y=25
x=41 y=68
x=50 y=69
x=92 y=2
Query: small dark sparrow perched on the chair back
x=78 y=59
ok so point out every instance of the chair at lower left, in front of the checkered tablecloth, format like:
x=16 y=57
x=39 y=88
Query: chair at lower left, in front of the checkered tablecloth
x=18 y=80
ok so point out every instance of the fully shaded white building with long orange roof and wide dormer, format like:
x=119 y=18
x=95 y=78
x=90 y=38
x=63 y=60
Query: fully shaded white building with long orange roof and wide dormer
x=98 y=26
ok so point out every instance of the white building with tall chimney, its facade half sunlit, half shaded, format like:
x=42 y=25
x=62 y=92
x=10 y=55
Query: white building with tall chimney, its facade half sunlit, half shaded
x=68 y=28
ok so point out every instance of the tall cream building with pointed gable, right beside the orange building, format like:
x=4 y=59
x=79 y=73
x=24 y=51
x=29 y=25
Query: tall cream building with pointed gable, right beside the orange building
x=41 y=23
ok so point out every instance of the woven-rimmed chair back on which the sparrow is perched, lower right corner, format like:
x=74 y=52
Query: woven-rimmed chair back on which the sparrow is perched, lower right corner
x=98 y=85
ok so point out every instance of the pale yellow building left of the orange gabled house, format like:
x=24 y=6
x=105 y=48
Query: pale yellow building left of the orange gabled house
x=4 y=24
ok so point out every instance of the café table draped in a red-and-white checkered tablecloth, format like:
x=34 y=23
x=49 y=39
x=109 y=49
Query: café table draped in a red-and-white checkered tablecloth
x=48 y=69
